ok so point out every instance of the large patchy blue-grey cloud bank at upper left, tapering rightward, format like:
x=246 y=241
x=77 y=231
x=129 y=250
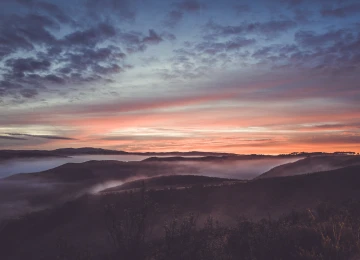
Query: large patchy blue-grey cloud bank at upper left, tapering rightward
x=90 y=53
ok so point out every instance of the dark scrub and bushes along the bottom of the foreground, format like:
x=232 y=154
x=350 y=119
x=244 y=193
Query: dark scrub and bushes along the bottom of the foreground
x=328 y=232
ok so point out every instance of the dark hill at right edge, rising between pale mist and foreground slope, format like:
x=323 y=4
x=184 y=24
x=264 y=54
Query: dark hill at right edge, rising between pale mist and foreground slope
x=312 y=164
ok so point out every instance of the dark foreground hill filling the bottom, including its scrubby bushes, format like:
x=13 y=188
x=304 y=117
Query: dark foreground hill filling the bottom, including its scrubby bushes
x=118 y=225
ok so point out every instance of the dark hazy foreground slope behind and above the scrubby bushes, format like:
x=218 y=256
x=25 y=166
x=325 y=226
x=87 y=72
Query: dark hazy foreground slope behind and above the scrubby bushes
x=83 y=222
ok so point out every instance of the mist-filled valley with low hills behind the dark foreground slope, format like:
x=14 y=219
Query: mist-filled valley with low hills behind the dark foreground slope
x=22 y=193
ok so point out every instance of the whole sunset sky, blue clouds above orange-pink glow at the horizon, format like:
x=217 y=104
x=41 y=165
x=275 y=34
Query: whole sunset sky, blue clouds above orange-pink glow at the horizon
x=260 y=76
